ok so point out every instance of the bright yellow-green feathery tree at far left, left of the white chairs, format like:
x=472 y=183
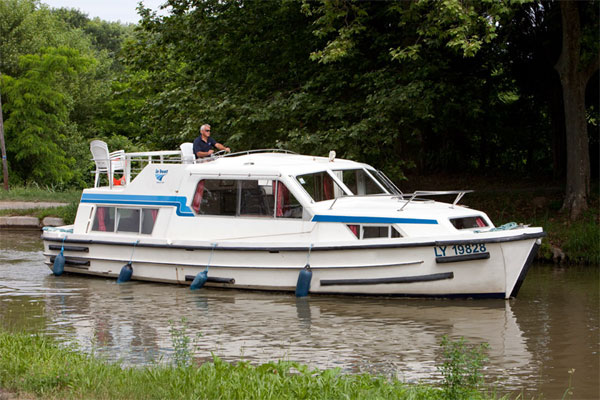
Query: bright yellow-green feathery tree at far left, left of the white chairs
x=38 y=109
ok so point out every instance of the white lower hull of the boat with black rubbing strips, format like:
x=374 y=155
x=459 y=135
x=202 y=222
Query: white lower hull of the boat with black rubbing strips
x=494 y=267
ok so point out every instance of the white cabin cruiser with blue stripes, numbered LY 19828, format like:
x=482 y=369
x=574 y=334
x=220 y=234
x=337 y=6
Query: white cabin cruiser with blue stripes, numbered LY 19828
x=279 y=221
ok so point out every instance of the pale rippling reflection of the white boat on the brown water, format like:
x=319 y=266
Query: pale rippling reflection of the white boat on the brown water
x=391 y=336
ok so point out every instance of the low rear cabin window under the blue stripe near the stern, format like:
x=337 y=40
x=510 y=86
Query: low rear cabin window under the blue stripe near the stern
x=130 y=220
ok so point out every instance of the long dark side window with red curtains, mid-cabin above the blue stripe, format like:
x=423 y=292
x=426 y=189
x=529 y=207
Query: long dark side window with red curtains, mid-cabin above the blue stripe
x=245 y=198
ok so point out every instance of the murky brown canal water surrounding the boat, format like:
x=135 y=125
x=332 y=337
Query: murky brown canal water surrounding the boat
x=534 y=341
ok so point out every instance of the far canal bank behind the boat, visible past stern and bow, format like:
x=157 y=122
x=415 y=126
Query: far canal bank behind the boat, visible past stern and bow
x=522 y=201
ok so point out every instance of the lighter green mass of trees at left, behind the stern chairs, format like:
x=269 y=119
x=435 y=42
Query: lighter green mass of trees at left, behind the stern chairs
x=58 y=68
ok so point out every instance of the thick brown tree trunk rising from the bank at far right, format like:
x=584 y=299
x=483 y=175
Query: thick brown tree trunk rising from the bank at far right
x=574 y=79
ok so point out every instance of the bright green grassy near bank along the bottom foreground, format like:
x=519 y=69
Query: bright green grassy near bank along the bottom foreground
x=34 y=366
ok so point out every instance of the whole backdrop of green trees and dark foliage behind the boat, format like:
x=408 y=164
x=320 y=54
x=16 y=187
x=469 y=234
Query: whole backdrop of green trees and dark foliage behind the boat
x=407 y=86
